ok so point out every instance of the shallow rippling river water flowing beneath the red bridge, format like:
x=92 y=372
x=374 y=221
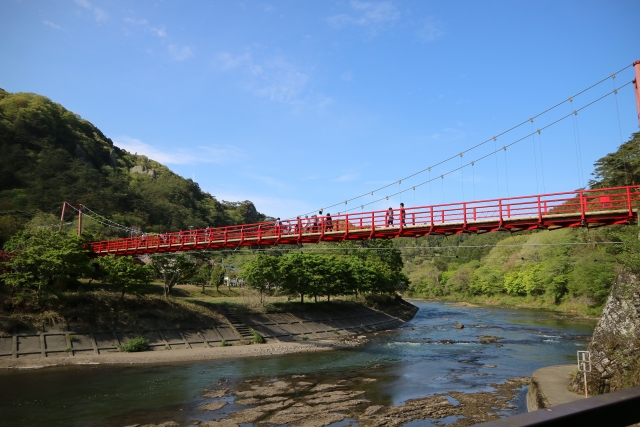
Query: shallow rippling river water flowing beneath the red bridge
x=425 y=357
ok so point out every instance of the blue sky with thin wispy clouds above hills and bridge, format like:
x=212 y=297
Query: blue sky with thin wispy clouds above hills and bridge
x=297 y=105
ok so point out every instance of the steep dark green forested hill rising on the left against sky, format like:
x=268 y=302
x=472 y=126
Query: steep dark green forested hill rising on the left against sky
x=50 y=155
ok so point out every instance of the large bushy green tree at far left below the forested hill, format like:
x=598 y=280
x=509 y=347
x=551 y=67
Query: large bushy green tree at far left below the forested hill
x=42 y=259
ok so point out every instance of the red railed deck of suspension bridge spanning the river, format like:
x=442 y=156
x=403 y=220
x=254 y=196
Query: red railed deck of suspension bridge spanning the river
x=582 y=208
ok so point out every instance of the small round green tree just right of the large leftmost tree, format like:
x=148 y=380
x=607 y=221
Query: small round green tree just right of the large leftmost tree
x=125 y=275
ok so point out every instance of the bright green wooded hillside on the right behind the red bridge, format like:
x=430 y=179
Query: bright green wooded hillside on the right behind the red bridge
x=572 y=268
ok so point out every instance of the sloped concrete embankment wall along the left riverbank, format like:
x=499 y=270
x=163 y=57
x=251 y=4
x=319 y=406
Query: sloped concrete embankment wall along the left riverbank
x=77 y=339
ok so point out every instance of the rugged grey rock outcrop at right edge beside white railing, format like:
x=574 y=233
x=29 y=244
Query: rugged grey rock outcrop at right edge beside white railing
x=614 y=345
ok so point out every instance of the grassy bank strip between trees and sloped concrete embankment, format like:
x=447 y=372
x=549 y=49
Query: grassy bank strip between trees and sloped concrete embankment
x=102 y=307
